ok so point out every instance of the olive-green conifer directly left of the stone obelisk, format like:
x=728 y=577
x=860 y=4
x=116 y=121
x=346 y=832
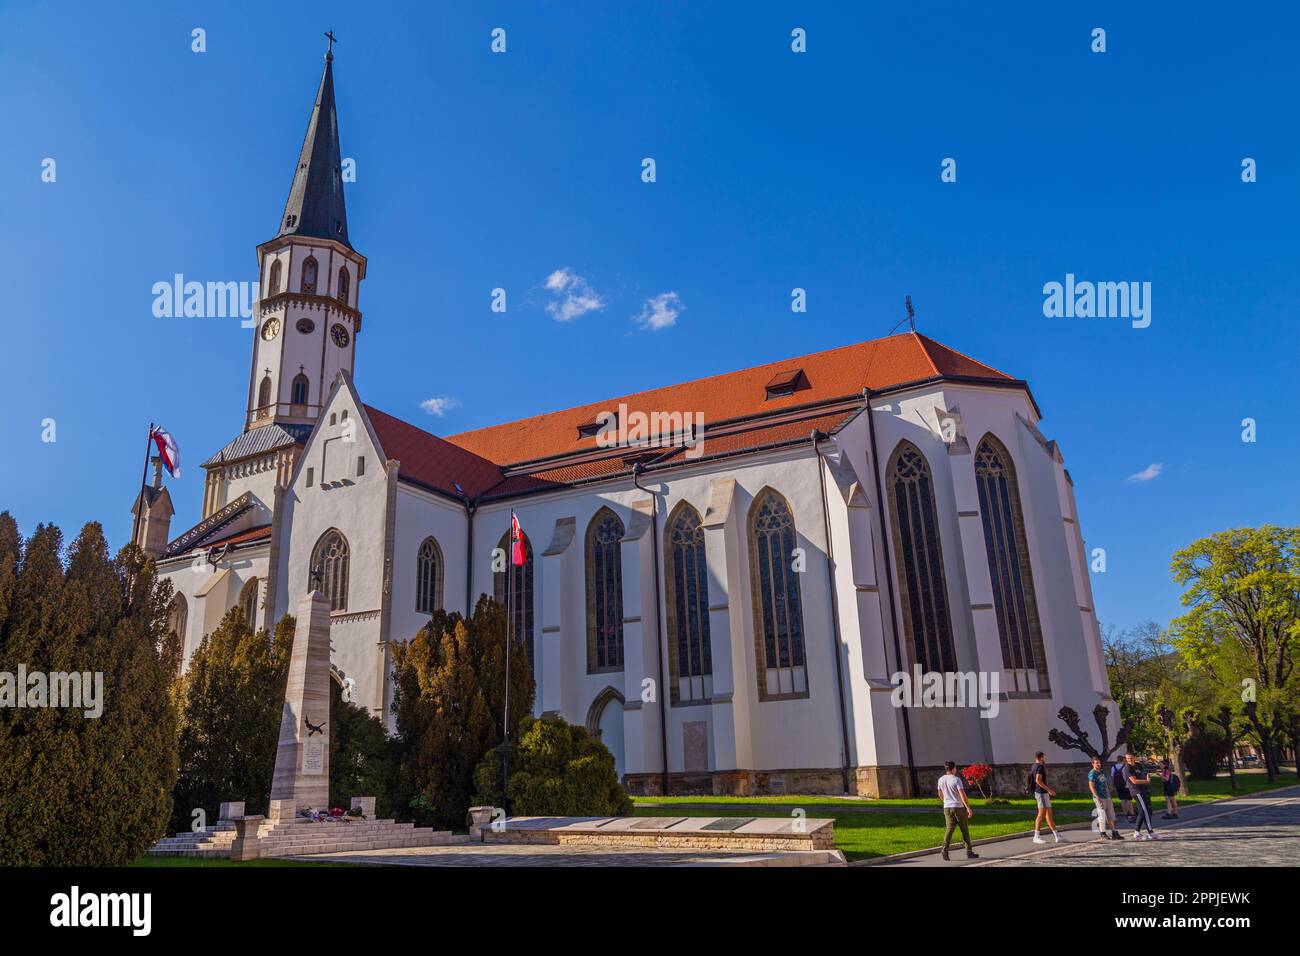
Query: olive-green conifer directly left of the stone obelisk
x=231 y=702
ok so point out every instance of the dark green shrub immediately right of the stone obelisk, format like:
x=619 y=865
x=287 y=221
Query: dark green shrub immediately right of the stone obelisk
x=363 y=760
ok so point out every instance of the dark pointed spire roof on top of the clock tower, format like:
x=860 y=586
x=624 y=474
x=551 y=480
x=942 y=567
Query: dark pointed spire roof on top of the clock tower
x=315 y=204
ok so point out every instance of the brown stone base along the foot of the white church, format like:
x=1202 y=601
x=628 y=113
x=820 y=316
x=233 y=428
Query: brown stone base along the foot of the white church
x=876 y=782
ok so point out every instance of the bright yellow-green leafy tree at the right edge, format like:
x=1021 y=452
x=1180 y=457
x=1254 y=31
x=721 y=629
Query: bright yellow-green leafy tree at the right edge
x=1242 y=628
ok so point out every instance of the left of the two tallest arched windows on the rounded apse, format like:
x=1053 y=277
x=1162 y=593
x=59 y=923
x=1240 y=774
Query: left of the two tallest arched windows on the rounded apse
x=922 y=583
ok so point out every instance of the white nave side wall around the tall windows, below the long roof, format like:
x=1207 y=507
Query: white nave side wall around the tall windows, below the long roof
x=769 y=736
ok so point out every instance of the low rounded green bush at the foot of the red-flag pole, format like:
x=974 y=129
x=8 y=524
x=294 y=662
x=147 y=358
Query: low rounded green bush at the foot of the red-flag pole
x=557 y=771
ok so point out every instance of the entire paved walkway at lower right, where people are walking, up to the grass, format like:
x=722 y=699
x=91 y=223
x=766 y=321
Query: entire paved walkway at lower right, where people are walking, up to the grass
x=1262 y=830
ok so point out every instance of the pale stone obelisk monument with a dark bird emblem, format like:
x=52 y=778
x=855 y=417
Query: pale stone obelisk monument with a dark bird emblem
x=302 y=759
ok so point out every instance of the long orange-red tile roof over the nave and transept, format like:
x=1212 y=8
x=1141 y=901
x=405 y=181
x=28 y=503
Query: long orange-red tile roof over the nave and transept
x=548 y=451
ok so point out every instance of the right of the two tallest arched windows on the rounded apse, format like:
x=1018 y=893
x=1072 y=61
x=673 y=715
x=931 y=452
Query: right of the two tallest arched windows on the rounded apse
x=1009 y=568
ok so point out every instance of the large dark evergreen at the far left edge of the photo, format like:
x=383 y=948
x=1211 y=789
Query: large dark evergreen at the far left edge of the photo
x=84 y=789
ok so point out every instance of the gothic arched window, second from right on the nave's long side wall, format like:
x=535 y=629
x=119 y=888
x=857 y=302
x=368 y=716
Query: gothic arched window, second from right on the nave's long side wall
x=691 y=664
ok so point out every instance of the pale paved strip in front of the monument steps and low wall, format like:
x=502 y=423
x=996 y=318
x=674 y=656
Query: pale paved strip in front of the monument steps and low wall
x=543 y=855
